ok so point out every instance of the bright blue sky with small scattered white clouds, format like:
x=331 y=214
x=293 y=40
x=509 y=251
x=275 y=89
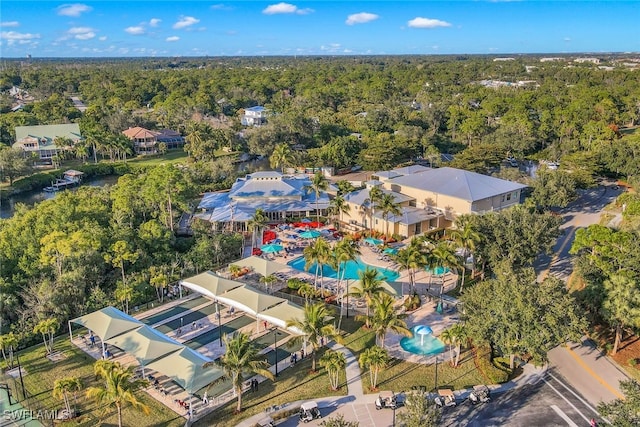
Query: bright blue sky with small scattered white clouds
x=198 y=28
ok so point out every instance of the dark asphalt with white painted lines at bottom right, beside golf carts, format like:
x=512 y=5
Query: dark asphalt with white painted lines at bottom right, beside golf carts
x=548 y=402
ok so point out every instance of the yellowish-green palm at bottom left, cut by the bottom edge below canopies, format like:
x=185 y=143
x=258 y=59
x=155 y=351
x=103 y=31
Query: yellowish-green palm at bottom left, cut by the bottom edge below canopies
x=120 y=387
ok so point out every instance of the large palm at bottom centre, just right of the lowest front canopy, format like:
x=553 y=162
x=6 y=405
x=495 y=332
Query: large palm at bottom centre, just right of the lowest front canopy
x=241 y=358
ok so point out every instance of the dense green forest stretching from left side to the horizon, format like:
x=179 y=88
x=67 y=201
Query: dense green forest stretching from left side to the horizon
x=83 y=250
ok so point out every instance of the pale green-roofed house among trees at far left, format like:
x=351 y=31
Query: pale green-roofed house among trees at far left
x=44 y=139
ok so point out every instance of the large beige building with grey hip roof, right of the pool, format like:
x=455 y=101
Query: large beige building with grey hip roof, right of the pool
x=429 y=199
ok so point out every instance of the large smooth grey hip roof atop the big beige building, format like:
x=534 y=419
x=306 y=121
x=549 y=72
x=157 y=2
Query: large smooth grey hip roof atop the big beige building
x=458 y=183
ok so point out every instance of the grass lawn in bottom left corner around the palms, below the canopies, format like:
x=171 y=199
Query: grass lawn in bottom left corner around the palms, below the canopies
x=41 y=374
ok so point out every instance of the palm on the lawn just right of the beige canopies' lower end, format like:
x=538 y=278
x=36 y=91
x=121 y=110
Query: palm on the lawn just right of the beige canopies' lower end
x=317 y=323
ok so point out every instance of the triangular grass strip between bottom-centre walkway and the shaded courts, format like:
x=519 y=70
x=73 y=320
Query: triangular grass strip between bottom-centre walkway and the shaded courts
x=295 y=383
